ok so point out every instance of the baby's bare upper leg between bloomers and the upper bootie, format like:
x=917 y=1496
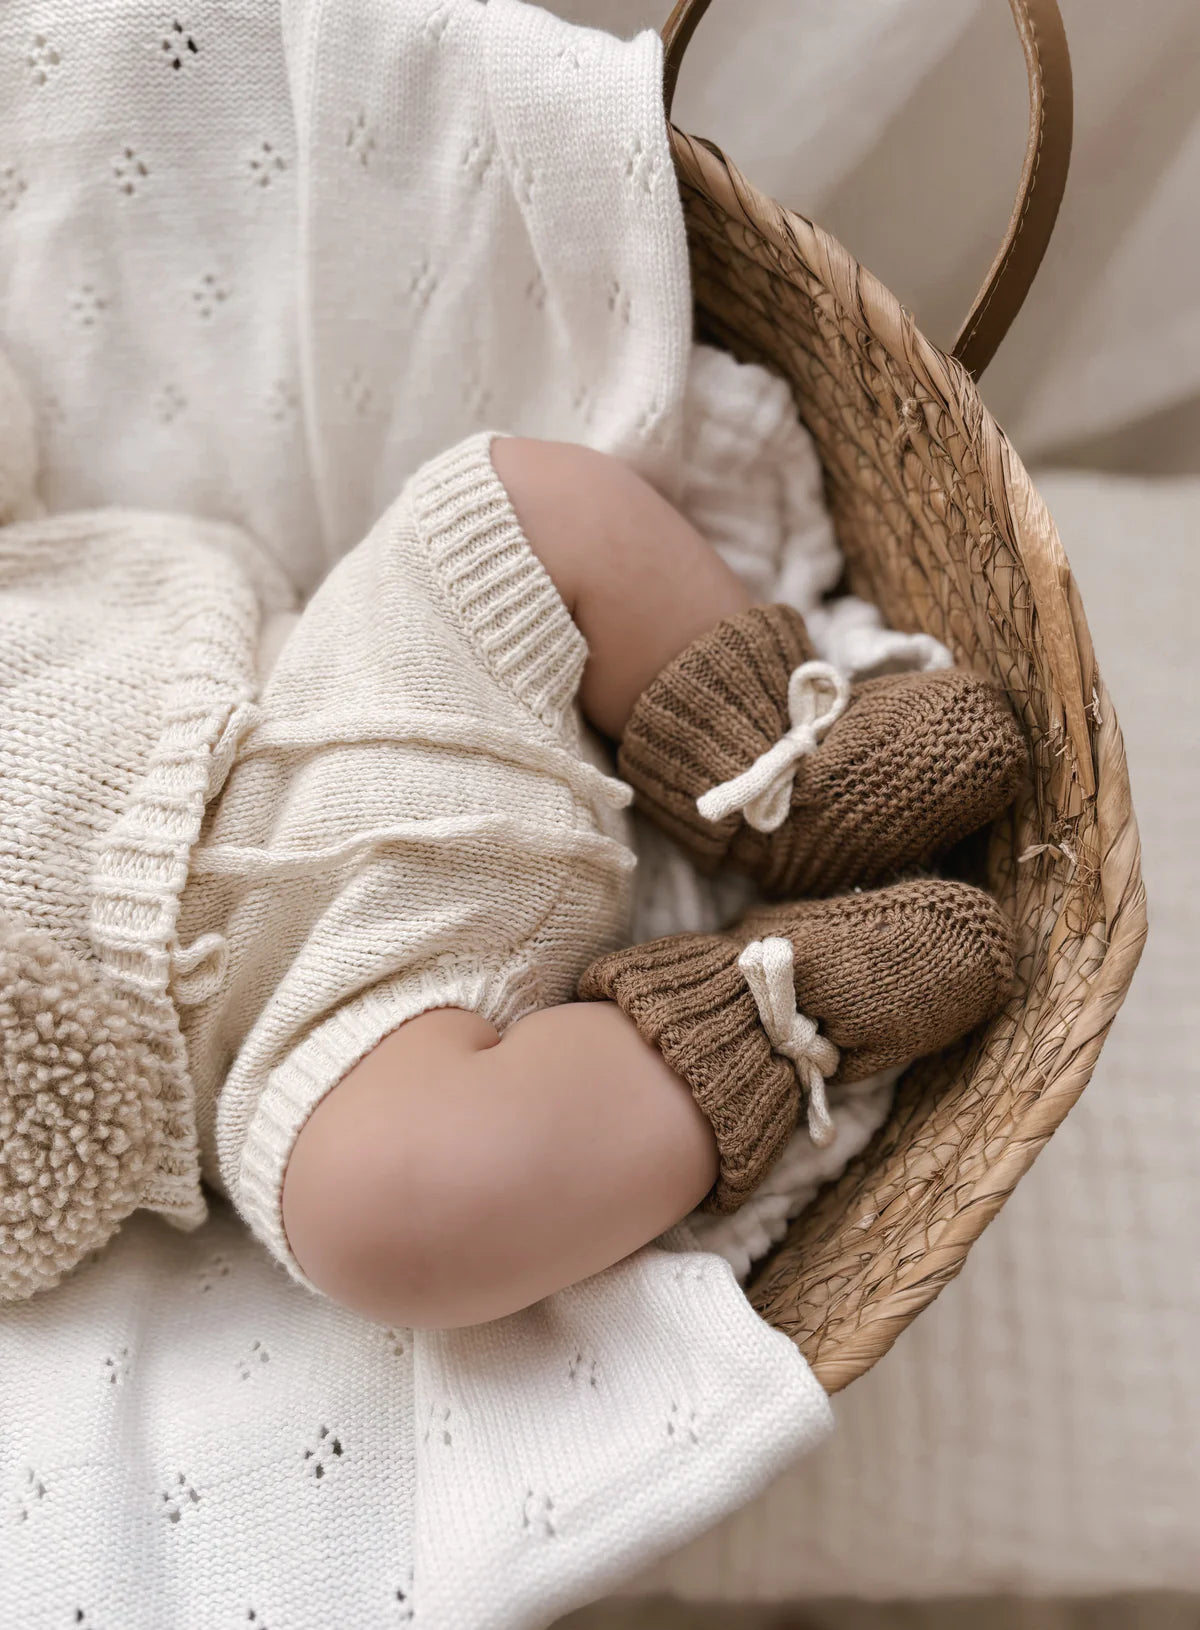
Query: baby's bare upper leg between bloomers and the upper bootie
x=638 y=579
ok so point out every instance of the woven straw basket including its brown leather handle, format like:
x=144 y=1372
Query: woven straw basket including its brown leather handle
x=943 y=529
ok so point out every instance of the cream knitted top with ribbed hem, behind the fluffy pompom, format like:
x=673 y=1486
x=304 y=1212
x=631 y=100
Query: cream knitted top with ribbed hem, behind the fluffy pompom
x=126 y=654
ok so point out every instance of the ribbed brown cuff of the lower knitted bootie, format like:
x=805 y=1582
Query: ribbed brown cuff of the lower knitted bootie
x=689 y=1000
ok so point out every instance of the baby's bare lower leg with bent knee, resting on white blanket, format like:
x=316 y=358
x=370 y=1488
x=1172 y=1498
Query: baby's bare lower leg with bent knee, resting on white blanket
x=456 y=1176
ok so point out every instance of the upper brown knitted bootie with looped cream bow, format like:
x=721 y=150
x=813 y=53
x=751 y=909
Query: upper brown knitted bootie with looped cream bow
x=754 y=756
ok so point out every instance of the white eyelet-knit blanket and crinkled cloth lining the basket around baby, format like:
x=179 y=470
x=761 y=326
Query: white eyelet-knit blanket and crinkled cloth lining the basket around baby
x=262 y=271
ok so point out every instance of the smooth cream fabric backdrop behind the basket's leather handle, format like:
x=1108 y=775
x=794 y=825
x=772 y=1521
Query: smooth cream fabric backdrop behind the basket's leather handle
x=899 y=125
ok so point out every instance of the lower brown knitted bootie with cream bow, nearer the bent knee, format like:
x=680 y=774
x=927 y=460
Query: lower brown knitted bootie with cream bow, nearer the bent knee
x=803 y=995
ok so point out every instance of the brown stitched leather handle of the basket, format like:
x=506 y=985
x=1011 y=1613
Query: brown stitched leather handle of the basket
x=1043 y=178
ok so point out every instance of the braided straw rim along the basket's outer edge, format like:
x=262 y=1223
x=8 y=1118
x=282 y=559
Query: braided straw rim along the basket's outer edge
x=1096 y=746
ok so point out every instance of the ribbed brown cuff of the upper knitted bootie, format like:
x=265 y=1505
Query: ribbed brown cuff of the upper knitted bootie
x=700 y=723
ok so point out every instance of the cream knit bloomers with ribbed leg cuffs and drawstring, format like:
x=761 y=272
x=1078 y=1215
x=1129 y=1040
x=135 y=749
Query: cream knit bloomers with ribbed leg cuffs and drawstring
x=413 y=819
